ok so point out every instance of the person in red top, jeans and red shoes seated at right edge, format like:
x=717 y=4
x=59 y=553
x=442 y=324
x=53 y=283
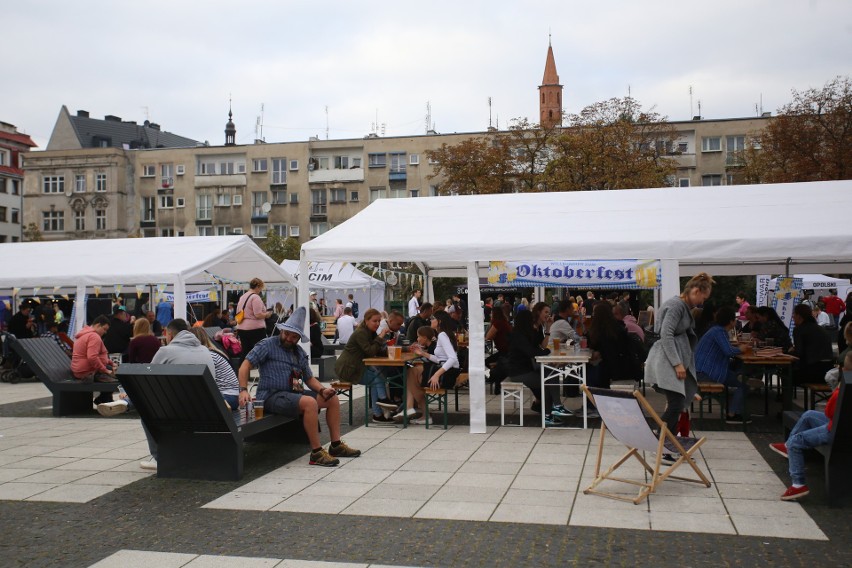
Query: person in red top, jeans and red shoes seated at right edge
x=813 y=429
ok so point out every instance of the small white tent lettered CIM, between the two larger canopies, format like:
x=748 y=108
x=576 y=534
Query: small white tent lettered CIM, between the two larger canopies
x=333 y=280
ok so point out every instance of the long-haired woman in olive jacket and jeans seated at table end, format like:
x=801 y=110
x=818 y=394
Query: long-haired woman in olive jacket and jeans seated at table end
x=350 y=368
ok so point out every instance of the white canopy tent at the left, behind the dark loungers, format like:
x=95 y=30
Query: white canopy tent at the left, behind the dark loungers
x=176 y=262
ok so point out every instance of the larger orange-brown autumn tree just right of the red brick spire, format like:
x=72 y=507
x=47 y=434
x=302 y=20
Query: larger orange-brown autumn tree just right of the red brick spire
x=612 y=144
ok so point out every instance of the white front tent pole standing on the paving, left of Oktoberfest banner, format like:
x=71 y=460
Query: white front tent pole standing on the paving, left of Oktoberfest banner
x=476 y=350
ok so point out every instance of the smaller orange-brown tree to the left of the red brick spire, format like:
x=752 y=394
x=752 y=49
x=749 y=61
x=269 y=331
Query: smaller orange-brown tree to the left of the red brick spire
x=473 y=166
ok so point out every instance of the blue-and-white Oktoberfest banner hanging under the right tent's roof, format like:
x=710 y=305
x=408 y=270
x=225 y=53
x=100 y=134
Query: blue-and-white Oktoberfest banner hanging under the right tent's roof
x=625 y=274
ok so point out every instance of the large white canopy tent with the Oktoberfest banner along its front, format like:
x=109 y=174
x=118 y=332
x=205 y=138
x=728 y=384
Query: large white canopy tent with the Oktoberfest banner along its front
x=730 y=230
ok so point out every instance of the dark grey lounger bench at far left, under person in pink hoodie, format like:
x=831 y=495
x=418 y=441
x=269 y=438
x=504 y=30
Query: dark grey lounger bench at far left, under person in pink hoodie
x=53 y=368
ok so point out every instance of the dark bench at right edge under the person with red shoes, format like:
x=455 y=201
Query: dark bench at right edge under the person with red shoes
x=837 y=453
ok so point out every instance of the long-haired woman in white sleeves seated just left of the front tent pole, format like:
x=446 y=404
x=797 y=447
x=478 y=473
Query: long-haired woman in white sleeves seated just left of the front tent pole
x=441 y=368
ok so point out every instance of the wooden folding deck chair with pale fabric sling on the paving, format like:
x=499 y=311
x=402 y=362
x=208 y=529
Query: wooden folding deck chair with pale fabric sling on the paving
x=624 y=415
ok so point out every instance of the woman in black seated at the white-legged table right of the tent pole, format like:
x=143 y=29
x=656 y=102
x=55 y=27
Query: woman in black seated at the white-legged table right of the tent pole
x=524 y=346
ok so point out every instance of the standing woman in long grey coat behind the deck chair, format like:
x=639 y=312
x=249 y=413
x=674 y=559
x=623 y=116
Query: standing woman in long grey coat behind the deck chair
x=670 y=366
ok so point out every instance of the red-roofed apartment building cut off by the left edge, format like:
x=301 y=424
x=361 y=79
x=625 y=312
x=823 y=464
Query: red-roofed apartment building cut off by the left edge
x=12 y=145
